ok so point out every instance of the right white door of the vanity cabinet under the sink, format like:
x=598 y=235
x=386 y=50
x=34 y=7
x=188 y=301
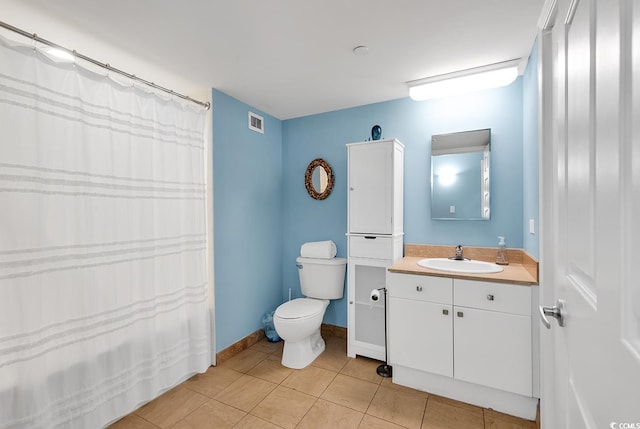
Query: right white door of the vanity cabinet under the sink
x=493 y=349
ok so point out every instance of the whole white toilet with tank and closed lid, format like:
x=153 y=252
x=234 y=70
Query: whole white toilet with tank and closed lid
x=298 y=321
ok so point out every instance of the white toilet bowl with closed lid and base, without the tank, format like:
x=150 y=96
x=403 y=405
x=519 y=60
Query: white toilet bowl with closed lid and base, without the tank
x=298 y=324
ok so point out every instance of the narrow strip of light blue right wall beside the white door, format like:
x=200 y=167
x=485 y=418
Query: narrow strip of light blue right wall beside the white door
x=530 y=101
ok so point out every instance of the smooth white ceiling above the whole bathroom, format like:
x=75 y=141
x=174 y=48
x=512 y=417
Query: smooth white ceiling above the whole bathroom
x=292 y=58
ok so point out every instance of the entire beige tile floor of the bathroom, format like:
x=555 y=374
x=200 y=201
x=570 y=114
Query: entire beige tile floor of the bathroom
x=253 y=390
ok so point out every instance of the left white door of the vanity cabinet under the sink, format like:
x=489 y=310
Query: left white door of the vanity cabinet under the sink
x=421 y=335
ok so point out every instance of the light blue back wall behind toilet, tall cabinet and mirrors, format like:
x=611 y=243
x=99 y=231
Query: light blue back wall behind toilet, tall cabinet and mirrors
x=413 y=123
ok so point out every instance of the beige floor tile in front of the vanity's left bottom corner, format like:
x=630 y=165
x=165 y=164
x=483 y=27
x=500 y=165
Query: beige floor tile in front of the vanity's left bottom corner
x=402 y=408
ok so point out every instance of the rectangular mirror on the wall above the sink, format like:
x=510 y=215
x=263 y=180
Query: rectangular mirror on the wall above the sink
x=460 y=175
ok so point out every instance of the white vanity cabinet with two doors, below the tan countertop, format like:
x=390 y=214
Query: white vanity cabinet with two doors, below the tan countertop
x=469 y=340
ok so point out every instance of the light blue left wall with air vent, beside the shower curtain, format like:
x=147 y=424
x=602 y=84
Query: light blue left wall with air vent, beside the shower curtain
x=247 y=198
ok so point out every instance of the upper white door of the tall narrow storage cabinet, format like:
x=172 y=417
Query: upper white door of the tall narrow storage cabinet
x=370 y=188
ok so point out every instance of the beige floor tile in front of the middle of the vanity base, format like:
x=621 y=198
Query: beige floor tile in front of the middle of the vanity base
x=442 y=414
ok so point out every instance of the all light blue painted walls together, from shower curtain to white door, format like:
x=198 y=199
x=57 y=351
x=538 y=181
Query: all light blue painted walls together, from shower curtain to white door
x=263 y=213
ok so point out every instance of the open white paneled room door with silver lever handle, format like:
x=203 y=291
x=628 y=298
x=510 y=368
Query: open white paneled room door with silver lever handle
x=590 y=200
